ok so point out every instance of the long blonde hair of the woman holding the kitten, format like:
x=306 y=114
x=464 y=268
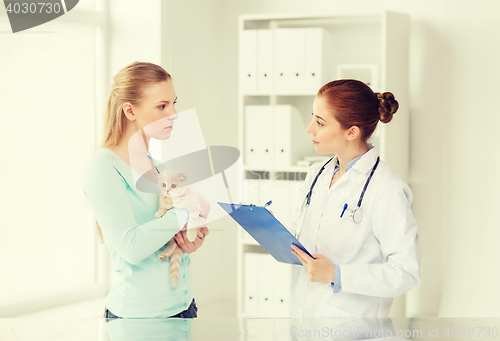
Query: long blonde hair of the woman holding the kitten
x=128 y=86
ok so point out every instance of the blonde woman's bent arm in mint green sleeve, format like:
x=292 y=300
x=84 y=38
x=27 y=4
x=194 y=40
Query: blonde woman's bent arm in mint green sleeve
x=105 y=190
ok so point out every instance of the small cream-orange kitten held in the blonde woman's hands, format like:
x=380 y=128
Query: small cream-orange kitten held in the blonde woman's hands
x=182 y=197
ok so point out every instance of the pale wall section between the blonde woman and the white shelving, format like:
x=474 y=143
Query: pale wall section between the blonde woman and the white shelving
x=194 y=37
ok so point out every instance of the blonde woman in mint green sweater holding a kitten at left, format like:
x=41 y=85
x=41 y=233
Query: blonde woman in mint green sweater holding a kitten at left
x=141 y=103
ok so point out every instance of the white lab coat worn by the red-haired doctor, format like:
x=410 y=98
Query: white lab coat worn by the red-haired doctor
x=379 y=257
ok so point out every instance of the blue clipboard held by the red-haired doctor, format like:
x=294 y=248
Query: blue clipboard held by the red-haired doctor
x=266 y=230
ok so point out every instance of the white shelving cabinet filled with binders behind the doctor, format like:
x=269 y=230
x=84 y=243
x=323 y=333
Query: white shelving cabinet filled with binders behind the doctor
x=284 y=60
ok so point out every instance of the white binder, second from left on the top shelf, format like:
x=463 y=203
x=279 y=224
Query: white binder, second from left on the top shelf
x=265 y=60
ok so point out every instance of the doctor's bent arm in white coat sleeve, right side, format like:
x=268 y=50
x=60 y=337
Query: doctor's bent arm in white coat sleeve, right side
x=396 y=229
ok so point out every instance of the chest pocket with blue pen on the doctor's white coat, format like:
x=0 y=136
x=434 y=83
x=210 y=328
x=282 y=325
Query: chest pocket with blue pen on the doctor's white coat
x=340 y=238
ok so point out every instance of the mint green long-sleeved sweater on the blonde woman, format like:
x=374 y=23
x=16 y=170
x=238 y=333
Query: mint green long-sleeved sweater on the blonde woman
x=141 y=285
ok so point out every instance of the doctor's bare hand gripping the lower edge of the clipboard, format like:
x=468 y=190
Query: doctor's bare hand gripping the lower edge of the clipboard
x=320 y=269
